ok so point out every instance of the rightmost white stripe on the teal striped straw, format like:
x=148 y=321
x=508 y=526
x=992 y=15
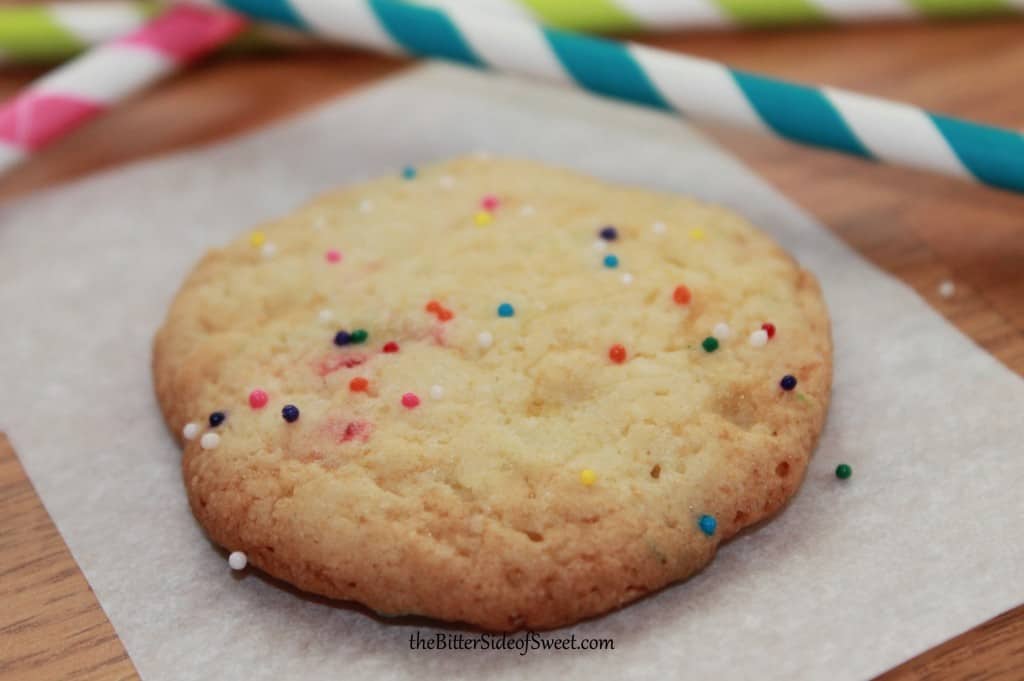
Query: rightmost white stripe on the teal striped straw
x=897 y=133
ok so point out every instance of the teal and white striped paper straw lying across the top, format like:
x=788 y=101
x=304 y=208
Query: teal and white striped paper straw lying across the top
x=864 y=126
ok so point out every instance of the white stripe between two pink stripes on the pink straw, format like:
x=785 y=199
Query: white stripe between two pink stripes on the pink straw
x=107 y=74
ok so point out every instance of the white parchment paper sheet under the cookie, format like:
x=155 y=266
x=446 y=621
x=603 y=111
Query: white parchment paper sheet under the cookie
x=923 y=543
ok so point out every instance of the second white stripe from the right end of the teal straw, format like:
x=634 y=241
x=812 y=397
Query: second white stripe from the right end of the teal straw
x=702 y=90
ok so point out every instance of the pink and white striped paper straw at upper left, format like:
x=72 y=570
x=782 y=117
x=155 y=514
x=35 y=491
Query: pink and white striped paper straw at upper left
x=69 y=97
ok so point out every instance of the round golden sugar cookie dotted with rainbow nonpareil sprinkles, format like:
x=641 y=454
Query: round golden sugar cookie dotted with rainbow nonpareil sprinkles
x=492 y=392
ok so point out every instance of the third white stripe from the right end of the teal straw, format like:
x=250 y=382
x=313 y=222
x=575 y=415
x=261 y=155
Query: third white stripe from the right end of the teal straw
x=515 y=47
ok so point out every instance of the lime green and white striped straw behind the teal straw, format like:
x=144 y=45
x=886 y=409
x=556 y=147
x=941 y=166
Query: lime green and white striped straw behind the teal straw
x=55 y=32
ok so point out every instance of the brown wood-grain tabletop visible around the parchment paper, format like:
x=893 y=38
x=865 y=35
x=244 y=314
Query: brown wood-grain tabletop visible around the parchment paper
x=922 y=229
